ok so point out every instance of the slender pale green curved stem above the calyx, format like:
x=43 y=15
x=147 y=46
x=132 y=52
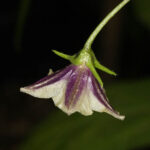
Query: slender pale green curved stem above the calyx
x=93 y=35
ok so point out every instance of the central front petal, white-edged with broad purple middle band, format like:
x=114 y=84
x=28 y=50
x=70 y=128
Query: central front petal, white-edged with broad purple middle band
x=73 y=97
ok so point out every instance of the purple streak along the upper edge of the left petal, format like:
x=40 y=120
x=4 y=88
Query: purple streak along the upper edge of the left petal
x=62 y=74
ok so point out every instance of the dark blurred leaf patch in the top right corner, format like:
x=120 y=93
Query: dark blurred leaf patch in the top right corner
x=142 y=11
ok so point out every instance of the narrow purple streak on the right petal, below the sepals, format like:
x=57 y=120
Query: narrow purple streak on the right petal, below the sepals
x=98 y=91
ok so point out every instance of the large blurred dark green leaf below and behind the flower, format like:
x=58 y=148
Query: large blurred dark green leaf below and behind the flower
x=99 y=131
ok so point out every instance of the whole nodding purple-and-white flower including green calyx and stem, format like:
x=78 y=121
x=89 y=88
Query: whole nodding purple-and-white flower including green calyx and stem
x=78 y=87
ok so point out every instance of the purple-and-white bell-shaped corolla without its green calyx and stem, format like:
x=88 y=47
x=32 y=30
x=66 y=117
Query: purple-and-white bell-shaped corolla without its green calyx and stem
x=73 y=89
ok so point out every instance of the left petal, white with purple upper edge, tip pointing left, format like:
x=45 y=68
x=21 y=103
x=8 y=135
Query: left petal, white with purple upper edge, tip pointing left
x=50 y=85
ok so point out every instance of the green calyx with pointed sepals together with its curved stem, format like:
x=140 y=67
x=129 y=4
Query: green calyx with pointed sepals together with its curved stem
x=86 y=55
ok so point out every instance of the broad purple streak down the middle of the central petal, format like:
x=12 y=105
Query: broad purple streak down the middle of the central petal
x=76 y=83
